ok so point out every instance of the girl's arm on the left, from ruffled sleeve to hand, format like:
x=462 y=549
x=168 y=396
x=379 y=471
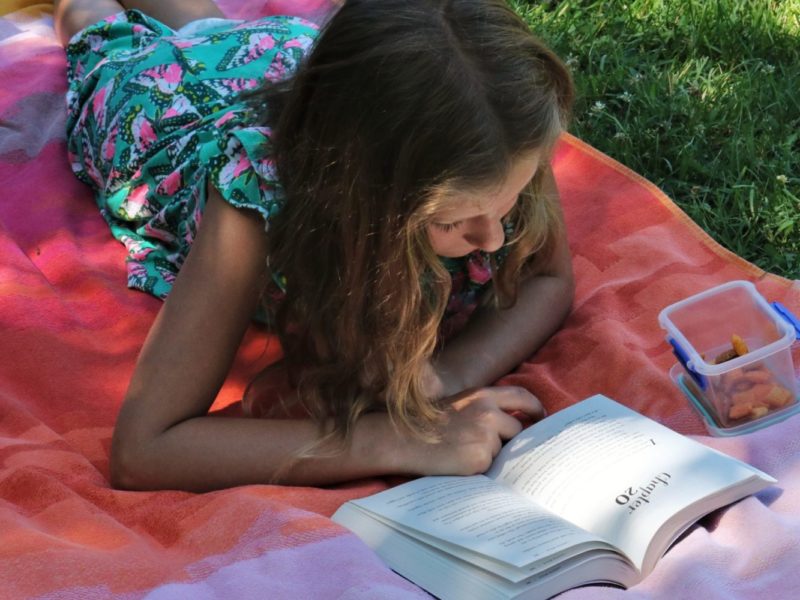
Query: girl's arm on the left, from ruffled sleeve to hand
x=165 y=438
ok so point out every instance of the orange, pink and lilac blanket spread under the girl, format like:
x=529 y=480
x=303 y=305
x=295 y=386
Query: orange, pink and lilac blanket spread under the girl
x=70 y=331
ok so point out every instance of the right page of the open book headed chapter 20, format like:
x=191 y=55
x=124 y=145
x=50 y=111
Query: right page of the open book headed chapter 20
x=614 y=472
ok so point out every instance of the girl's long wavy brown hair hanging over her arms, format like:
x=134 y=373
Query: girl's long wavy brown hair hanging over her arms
x=398 y=103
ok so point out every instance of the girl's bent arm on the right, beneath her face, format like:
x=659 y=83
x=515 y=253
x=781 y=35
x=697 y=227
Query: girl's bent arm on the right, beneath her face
x=497 y=340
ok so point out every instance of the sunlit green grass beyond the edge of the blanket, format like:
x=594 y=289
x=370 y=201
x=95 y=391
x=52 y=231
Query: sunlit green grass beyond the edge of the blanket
x=702 y=97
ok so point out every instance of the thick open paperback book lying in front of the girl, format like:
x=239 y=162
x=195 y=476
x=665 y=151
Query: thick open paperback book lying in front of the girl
x=595 y=493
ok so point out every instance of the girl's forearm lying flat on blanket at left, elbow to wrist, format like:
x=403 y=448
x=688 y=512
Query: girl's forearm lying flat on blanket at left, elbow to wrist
x=209 y=452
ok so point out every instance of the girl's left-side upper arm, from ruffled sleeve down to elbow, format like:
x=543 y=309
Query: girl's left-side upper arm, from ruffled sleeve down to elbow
x=193 y=340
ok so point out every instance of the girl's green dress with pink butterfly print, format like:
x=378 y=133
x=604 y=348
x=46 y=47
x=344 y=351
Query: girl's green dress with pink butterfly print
x=153 y=117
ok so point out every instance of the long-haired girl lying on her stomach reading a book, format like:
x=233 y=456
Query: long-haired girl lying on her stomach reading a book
x=365 y=188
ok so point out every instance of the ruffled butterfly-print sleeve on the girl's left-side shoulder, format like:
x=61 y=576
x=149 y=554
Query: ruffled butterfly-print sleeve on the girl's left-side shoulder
x=240 y=166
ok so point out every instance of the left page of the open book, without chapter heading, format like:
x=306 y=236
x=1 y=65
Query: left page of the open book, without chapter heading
x=479 y=515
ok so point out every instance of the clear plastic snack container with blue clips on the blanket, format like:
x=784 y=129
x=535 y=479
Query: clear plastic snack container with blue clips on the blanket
x=734 y=392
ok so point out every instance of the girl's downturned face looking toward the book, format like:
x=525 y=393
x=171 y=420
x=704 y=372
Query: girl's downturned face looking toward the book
x=473 y=219
